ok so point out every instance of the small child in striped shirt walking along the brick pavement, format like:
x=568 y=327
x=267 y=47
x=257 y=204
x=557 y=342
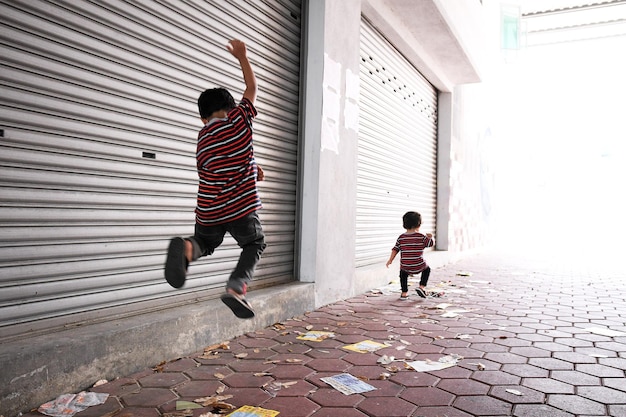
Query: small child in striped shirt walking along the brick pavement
x=411 y=245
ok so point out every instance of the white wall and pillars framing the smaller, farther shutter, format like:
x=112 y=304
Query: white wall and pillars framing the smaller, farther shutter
x=427 y=33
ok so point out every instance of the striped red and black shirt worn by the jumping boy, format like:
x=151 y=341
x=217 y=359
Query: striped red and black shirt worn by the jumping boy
x=227 y=170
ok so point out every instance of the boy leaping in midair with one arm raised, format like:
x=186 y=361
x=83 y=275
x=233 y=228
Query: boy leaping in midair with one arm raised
x=227 y=191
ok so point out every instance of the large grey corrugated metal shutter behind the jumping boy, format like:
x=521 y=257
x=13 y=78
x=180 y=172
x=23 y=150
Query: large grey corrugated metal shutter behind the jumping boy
x=97 y=163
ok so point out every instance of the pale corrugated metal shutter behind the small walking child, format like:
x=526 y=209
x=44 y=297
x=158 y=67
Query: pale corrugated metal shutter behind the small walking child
x=397 y=150
